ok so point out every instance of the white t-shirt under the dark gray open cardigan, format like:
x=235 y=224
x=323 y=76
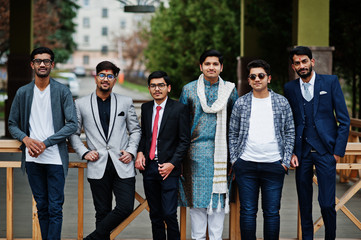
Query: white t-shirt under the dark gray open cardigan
x=41 y=127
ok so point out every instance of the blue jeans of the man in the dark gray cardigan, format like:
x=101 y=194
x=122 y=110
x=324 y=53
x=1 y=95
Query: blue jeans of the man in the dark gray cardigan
x=47 y=185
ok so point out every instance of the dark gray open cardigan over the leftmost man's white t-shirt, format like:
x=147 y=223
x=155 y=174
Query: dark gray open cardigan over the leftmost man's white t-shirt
x=64 y=118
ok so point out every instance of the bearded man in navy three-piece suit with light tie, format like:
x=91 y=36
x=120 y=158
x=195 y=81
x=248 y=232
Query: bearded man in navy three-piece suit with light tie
x=322 y=126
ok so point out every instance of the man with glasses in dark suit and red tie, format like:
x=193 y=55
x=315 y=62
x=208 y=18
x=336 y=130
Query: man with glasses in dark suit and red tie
x=165 y=141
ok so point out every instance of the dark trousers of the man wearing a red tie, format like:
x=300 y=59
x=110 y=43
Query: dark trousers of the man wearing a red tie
x=162 y=196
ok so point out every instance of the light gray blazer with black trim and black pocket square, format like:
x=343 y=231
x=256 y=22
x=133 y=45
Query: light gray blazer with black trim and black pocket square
x=124 y=134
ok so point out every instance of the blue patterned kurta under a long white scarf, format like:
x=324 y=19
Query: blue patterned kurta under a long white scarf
x=198 y=168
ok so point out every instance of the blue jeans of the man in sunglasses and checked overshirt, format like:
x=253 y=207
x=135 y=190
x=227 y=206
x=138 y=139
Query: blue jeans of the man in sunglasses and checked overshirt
x=251 y=177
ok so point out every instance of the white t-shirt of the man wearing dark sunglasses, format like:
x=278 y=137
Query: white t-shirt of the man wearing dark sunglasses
x=261 y=145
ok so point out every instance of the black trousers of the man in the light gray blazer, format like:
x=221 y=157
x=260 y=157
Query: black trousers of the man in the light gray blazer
x=102 y=191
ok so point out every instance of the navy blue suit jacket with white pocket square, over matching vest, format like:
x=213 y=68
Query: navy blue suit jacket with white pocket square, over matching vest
x=330 y=113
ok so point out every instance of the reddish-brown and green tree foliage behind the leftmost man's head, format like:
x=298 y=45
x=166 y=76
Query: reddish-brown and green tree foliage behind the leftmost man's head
x=53 y=26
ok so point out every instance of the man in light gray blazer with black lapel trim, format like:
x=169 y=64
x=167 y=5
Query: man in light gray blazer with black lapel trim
x=112 y=136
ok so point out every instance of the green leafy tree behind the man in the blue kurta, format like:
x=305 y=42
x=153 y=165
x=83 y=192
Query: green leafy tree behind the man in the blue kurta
x=179 y=34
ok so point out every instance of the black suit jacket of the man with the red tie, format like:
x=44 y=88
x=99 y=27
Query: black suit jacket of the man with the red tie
x=173 y=135
